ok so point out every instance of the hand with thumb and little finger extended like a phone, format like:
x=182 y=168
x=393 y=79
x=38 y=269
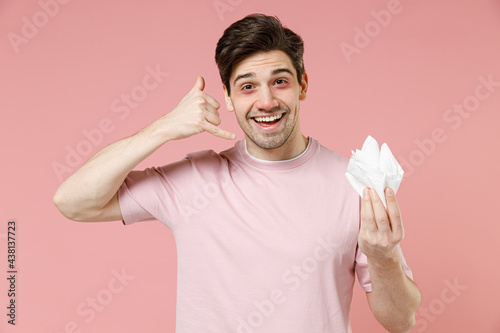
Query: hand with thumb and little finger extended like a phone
x=196 y=113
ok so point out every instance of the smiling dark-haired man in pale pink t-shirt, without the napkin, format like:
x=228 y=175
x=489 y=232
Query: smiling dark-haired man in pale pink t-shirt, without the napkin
x=269 y=233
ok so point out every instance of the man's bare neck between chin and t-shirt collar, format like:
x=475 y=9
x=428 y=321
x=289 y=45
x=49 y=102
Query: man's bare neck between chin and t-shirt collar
x=293 y=147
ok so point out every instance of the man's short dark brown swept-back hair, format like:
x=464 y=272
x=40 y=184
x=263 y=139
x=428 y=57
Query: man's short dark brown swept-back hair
x=257 y=33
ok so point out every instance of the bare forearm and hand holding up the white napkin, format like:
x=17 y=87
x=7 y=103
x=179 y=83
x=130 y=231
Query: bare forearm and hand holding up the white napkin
x=395 y=298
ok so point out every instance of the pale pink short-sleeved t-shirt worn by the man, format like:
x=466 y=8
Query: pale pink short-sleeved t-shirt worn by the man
x=262 y=246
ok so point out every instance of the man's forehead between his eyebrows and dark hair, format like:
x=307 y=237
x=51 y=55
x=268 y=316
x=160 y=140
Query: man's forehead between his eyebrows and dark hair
x=262 y=63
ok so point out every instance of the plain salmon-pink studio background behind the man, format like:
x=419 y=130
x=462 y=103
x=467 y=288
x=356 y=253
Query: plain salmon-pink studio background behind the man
x=64 y=79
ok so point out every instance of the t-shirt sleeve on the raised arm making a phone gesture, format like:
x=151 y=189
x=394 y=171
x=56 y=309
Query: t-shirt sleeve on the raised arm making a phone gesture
x=155 y=193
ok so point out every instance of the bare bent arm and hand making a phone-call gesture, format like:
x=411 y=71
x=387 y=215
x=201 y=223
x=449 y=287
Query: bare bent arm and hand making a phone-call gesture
x=90 y=194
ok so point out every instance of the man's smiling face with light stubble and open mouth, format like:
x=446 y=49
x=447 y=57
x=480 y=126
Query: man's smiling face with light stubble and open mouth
x=265 y=85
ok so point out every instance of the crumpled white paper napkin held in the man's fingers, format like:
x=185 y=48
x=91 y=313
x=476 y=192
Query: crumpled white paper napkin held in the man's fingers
x=370 y=168
